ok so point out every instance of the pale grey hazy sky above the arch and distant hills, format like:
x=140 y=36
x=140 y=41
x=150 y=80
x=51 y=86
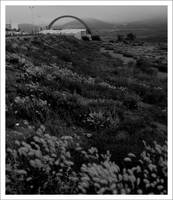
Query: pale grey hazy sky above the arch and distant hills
x=44 y=14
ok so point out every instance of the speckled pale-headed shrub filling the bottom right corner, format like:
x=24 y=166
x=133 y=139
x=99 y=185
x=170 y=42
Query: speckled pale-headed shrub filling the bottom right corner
x=154 y=164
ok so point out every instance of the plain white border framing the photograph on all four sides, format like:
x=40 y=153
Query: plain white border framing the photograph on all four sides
x=2 y=83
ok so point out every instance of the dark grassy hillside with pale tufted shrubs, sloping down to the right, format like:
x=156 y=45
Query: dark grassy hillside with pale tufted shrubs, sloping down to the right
x=72 y=112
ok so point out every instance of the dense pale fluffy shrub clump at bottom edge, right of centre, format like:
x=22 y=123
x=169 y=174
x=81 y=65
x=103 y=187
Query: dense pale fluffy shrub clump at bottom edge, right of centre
x=100 y=178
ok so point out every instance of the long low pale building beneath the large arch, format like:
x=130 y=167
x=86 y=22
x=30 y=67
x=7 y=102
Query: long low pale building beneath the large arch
x=77 y=33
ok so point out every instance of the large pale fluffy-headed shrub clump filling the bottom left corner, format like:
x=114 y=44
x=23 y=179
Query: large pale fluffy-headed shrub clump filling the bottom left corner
x=40 y=165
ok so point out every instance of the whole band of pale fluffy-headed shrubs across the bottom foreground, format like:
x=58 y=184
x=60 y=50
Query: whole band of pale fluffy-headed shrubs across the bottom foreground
x=45 y=164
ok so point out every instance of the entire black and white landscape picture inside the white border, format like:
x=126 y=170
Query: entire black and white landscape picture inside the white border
x=86 y=100
